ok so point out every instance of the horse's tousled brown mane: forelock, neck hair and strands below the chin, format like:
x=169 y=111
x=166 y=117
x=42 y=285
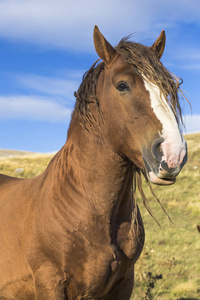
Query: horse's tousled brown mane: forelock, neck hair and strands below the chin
x=145 y=62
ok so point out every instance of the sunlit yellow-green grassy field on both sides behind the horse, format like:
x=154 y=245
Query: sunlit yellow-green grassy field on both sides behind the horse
x=169 y=267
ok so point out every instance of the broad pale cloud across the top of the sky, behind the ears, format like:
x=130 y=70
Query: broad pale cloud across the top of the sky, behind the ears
x=69 y=24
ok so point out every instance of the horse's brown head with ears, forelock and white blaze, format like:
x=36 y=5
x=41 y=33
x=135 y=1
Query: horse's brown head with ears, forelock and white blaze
x=139 y=103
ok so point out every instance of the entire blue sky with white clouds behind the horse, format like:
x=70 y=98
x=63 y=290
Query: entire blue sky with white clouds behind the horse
x=47 y=45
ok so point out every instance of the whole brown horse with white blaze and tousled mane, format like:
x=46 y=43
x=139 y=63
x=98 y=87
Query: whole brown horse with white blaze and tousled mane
x=74 y=232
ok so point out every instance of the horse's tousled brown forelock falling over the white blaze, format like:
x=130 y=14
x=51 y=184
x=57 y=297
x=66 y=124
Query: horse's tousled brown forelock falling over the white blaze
x=146 y=62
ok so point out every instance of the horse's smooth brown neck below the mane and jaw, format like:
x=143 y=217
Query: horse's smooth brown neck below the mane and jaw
x=91 y=177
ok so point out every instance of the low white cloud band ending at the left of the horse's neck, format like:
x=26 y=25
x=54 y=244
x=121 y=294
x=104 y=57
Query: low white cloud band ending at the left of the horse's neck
x=33 y=108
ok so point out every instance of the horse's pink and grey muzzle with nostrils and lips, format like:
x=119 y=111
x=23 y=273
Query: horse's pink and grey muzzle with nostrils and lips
x=165 y=160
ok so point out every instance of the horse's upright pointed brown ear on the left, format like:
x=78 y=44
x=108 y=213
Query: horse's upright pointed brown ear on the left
x=103 y=47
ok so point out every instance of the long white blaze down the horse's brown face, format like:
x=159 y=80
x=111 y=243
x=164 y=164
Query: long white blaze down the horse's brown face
x=174 y=145
